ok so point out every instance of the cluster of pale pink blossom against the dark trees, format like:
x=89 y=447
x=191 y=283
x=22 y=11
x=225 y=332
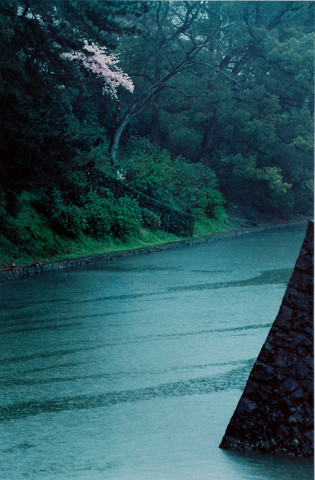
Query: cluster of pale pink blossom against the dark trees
x=104 y=65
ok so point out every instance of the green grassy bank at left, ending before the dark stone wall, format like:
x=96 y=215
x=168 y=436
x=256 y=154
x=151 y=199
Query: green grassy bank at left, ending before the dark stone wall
x=29 y=238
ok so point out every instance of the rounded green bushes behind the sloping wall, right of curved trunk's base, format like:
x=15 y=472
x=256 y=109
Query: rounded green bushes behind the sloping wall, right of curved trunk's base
x=191 y=187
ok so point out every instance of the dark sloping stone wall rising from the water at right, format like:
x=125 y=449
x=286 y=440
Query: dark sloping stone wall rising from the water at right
x=276 y=410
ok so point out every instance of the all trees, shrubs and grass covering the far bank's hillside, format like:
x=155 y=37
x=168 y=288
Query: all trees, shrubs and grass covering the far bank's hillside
x=203 y=107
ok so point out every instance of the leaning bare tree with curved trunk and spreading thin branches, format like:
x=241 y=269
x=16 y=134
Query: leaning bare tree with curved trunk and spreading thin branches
x=176 y=47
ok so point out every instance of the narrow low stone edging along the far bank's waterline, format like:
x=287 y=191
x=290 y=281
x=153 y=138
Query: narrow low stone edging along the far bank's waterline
x=31 y=270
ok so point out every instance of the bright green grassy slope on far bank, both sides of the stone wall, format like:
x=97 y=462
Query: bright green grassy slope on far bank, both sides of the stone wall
x=36 y=241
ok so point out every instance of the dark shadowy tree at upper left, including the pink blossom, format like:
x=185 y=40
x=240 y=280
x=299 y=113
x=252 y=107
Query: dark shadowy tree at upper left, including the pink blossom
x=43 y=128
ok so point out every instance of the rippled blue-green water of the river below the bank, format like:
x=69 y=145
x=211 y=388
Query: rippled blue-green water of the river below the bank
x=132 y=369
